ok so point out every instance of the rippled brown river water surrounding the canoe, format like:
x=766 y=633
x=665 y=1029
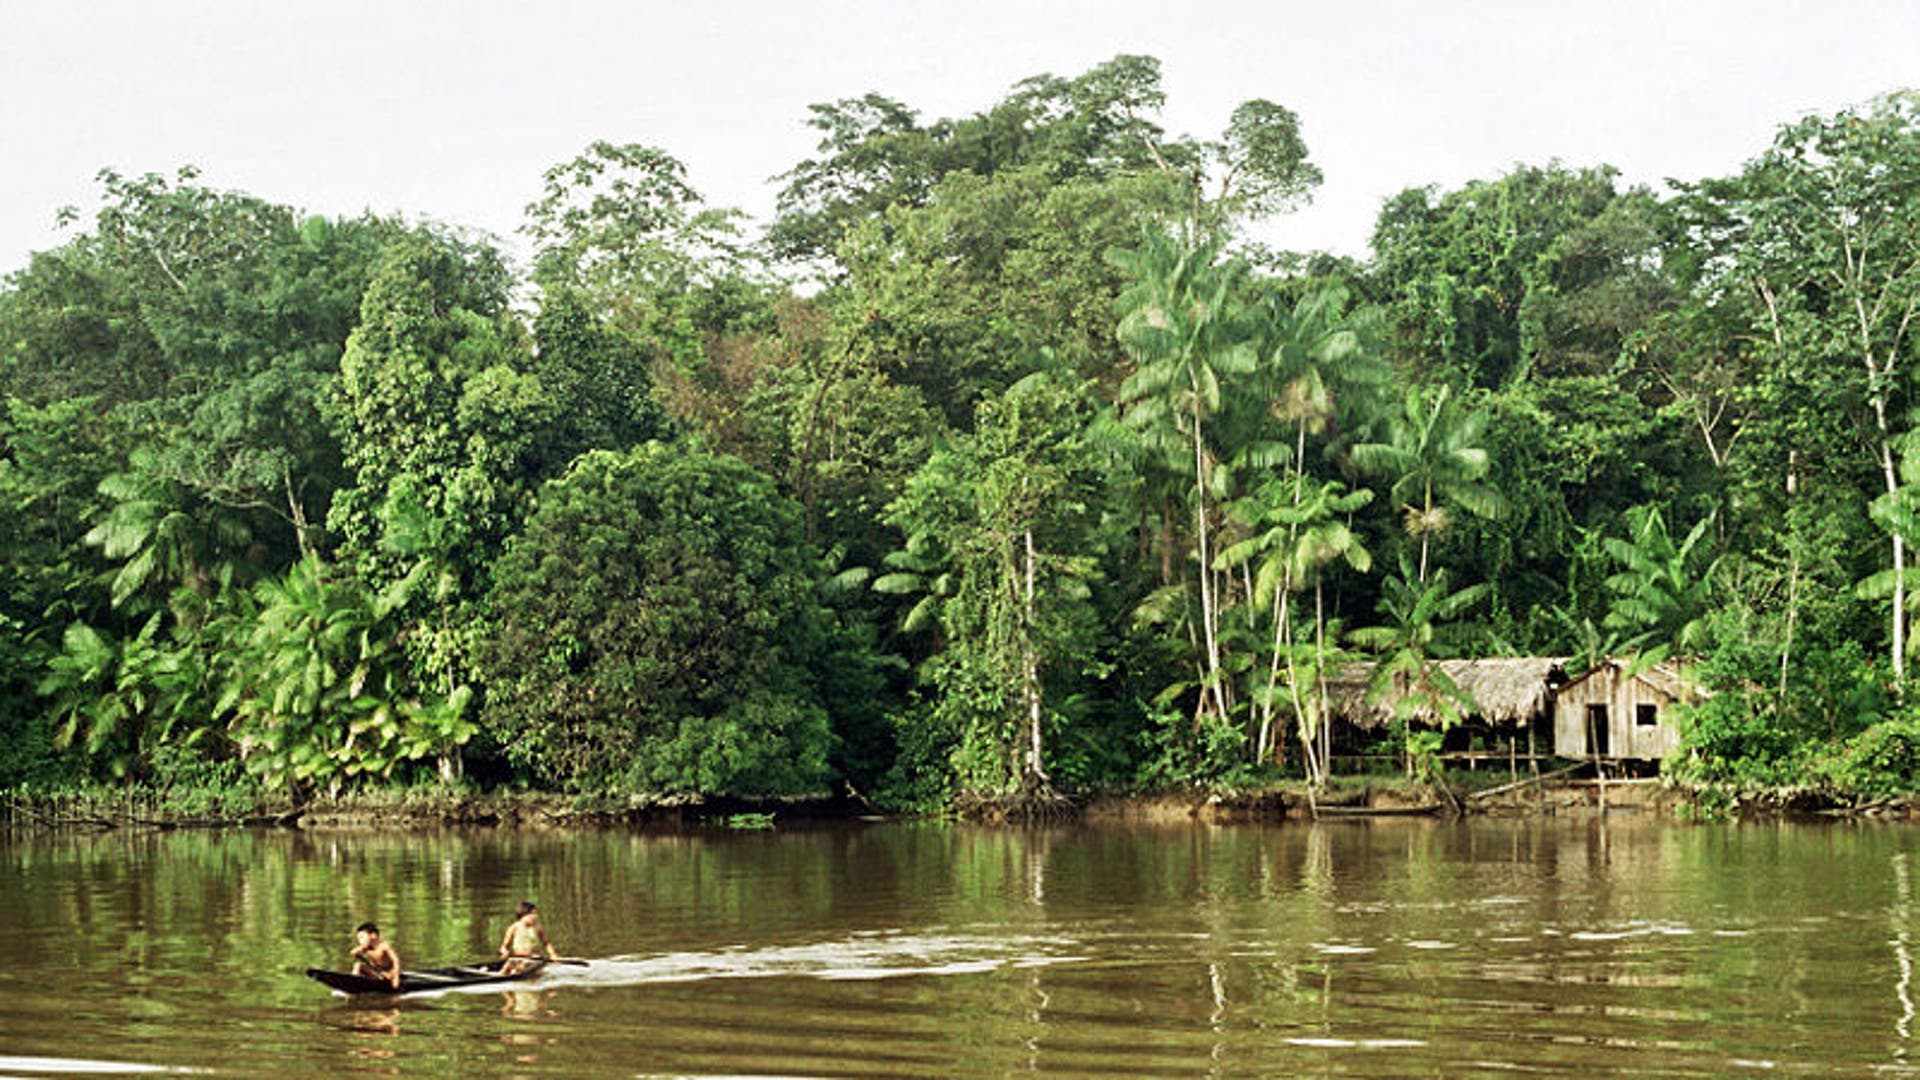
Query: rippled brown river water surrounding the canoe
x=1362 y=948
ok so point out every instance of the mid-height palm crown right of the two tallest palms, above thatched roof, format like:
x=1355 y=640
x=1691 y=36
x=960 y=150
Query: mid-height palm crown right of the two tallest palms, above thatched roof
x=1433 y=453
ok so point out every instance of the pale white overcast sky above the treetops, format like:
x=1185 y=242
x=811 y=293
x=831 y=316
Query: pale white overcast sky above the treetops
x=454 y=110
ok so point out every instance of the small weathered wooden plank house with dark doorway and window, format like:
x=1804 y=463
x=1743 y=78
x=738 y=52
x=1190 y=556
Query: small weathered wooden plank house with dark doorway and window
x=1612 y=714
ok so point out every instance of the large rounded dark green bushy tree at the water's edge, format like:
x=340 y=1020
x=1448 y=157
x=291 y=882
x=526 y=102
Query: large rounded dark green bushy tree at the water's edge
x=652 y=629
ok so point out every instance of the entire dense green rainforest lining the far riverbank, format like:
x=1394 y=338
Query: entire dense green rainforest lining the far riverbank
x=999 y=464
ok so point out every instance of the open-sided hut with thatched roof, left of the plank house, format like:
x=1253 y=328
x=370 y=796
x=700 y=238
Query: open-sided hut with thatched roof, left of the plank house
x=1514 y=700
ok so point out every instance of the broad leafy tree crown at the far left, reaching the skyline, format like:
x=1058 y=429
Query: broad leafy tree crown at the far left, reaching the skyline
x=210 y=322
